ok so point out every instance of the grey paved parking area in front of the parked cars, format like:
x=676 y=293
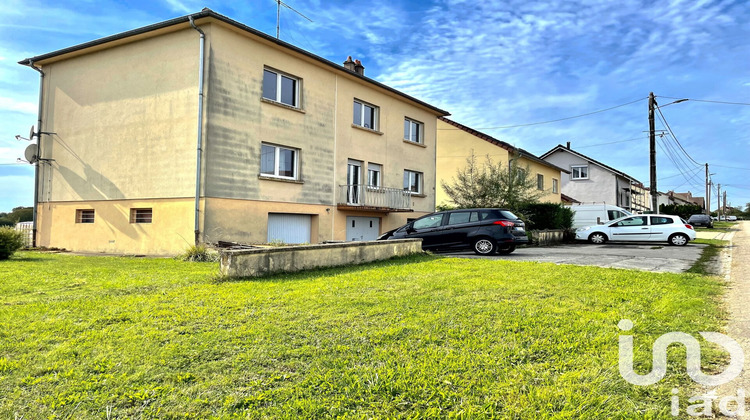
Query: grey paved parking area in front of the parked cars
x=643 y=256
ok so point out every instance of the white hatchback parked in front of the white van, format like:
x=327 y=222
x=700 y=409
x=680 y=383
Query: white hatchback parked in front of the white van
x=654 y=228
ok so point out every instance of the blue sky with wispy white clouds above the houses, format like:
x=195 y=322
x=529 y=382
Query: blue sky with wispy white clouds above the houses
x=496 y=66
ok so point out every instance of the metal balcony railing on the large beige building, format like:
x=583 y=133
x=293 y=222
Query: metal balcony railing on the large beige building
x=363 y=197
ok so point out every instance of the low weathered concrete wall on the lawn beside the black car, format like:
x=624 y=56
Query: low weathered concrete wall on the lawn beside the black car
x=260 y=262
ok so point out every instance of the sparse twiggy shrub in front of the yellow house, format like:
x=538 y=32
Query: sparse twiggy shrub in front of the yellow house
x=492 y=185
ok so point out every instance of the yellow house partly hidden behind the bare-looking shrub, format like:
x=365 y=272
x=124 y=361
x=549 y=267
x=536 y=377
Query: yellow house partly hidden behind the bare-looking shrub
x=457 y=142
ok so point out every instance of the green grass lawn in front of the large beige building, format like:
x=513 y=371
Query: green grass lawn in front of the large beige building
x=422 y=337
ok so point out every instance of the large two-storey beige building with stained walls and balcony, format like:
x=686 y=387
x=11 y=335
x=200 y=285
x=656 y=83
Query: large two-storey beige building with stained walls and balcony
x=280 y=145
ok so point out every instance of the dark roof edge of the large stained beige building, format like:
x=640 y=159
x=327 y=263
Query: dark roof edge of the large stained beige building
x=210 y=14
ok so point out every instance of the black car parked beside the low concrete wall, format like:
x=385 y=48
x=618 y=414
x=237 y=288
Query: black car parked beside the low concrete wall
x=485 y=231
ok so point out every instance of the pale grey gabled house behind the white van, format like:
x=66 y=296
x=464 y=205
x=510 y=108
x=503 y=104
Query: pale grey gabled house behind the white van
x=591 y=181
